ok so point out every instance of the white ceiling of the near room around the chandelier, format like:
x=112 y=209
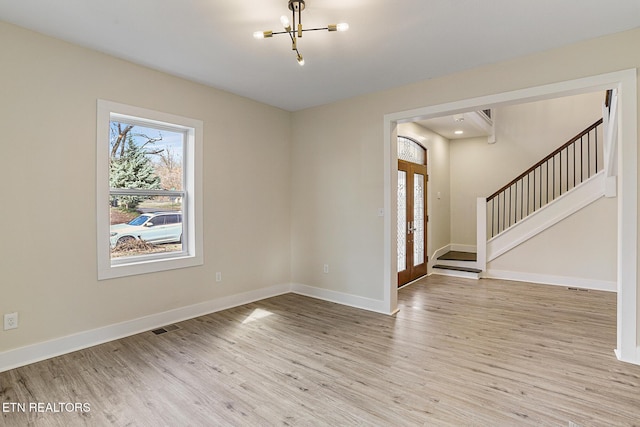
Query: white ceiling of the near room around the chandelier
x=388 y=44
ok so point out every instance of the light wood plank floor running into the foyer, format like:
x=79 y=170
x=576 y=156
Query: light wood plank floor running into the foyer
x=460 y=352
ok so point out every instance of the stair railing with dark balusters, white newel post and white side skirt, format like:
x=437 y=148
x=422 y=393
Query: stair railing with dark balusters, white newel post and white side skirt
x=576 y=174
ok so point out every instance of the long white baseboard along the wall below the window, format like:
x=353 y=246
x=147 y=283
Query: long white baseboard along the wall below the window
x=36 y=352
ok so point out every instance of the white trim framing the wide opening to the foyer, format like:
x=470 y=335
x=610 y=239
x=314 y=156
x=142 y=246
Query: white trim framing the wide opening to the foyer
x=625 y=81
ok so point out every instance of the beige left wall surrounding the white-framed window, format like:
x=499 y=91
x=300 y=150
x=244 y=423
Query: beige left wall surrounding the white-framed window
x=48 y=257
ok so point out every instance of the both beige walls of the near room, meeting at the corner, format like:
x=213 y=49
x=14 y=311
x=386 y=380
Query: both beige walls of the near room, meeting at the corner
x=284 y=193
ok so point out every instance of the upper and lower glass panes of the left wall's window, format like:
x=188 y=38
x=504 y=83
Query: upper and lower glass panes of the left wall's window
x=145 y=158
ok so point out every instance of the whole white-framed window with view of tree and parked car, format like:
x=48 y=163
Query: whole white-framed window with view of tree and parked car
x=149 y=191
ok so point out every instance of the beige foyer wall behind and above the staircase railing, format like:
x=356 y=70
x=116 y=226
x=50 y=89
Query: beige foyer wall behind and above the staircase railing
x=525 y=133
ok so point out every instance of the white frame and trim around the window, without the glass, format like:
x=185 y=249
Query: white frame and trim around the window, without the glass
x=191 y=255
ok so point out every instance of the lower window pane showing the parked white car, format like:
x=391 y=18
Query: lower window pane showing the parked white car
x=155 y=226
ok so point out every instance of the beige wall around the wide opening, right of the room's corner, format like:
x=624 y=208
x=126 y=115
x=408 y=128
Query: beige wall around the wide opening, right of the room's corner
x=339 y=160
